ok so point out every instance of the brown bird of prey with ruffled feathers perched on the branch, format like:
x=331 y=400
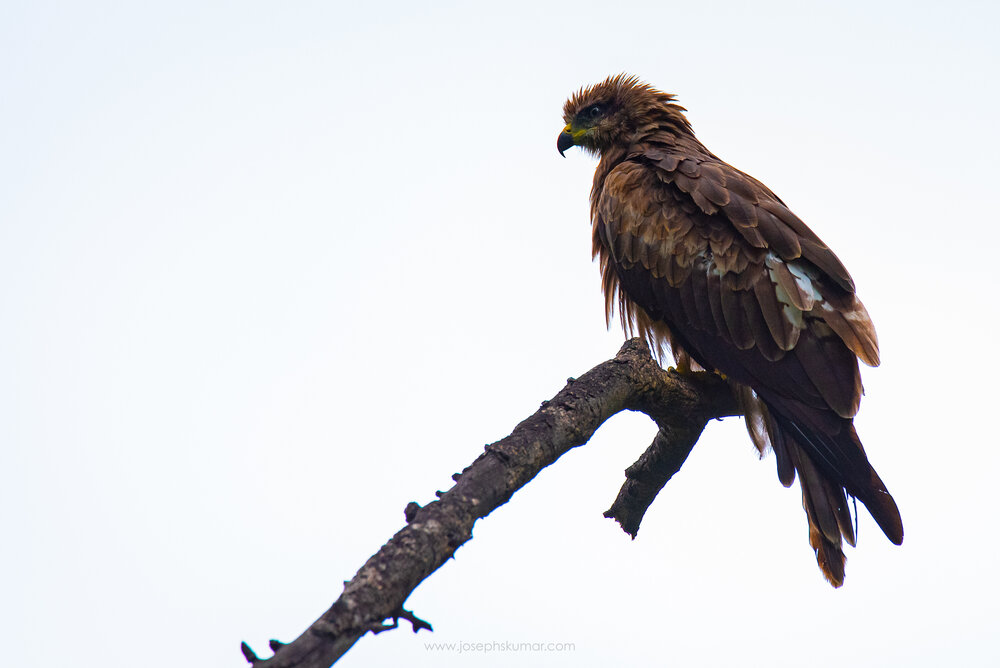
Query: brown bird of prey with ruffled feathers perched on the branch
x=704 y=260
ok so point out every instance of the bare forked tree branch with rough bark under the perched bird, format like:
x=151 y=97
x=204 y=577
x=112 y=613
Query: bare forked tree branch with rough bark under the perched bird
x=680 y=404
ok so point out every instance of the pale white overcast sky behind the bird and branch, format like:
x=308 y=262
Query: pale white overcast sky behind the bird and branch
x=269 y=271
